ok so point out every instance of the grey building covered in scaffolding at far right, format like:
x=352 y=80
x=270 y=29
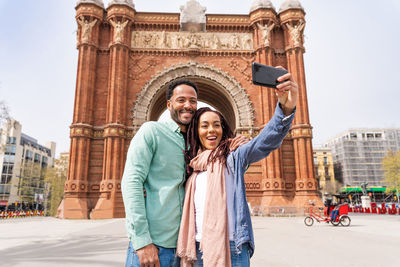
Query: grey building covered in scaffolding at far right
x=357 y=154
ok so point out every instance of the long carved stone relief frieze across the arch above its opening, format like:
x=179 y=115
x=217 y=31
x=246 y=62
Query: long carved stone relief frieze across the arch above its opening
x=188 y=40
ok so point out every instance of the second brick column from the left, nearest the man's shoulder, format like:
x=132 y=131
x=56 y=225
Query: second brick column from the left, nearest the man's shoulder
x=110 y=204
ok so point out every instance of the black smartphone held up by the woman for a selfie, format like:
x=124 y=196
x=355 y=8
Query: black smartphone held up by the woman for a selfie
x=266 y=75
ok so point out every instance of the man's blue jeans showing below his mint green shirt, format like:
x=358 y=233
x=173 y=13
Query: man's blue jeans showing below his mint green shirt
x=166 y=255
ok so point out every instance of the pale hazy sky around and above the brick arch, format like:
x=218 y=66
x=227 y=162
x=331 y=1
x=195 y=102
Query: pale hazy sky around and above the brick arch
x=352 y=62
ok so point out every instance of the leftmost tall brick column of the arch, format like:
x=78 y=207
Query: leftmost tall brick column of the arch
x=75 y=204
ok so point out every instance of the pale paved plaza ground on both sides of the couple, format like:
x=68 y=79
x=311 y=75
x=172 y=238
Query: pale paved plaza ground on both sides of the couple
x=371 y=240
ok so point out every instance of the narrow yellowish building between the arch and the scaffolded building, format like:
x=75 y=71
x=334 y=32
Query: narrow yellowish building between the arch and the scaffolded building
x=324 y=171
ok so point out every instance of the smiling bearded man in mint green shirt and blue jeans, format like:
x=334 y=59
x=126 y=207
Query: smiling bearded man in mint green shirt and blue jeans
x=155 y=162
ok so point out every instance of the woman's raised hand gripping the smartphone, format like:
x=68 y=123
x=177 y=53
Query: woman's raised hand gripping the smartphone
x=287 y=92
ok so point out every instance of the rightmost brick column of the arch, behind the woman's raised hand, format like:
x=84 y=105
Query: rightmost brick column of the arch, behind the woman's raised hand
x=306 y=185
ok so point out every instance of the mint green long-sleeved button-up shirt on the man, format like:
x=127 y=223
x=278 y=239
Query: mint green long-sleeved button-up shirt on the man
x=155 y=162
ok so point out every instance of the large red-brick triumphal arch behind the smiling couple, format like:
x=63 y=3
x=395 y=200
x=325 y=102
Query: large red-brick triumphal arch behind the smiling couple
x=126 y=61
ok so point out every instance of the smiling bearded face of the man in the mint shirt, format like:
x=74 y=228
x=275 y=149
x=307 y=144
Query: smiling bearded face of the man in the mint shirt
x=182 y=104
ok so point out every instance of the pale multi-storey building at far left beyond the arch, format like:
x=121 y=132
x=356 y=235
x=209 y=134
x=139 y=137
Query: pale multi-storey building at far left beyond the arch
x=22 y=163
